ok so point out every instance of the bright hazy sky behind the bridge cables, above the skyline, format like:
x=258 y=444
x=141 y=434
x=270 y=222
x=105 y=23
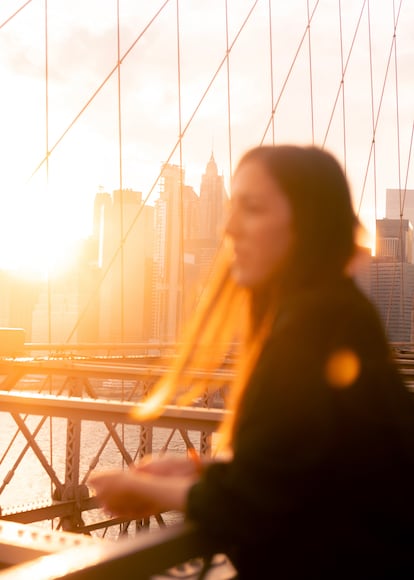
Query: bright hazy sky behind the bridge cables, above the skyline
x=132 y=122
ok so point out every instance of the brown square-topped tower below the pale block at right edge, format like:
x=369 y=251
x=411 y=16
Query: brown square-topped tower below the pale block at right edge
x=394 y=239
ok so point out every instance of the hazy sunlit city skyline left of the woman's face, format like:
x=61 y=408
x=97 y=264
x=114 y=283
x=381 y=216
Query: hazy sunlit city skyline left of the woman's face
x=139 y=274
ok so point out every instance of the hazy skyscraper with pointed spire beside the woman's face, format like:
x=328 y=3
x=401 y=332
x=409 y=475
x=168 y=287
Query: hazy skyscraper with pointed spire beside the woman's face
x=213 y=200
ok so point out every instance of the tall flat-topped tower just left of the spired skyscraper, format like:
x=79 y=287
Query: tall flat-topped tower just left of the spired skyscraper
x=168 y=255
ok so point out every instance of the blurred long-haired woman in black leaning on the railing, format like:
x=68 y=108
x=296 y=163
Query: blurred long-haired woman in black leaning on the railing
x=320 y=482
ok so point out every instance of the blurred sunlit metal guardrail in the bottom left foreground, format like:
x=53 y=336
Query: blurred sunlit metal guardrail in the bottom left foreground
x=27 y=552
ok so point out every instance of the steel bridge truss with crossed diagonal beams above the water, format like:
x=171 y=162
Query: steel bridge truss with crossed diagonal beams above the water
x=85 y=400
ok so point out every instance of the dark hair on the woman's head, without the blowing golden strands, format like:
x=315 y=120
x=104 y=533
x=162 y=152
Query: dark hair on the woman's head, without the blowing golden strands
x=323 y=216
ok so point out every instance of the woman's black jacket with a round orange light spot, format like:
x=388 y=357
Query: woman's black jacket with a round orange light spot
x=322 y=480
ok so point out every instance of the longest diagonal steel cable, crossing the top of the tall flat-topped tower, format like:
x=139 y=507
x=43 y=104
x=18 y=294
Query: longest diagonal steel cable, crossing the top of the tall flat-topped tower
x=156 y=181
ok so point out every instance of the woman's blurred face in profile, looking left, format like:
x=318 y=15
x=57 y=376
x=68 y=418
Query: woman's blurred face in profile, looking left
x=259 y=224
